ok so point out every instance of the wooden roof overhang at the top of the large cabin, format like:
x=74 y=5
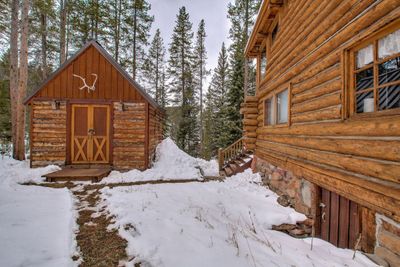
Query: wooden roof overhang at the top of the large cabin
x=266 y=16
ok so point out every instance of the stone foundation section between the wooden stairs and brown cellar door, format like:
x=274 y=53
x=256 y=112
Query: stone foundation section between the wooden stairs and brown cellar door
x=293 y=191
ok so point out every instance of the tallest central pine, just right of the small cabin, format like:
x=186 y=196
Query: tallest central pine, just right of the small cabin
x=182 y=83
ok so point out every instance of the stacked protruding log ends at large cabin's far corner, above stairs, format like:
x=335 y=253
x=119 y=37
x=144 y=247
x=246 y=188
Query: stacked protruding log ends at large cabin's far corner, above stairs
x=249 y=111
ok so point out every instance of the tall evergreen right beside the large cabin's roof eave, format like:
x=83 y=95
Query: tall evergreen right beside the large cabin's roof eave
x=241 y=14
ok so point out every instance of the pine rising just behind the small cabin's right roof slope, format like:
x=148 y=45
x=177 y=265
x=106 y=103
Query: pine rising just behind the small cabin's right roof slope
x=154 y=69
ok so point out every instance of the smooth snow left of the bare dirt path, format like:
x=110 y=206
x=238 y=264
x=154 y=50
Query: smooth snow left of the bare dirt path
x=36 y=224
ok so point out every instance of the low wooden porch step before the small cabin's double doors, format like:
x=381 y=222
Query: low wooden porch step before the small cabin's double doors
x=72 y=174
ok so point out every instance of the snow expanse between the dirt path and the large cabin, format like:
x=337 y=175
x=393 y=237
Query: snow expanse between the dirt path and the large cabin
x=214 y=224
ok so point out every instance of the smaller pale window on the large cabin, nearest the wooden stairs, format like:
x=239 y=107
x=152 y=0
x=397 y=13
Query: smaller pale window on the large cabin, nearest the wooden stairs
x=276 y=108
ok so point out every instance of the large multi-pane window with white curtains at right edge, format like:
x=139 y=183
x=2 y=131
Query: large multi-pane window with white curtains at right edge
x=376 y=74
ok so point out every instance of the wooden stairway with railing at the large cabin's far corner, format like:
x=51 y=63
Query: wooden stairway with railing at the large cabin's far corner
x=234 y=159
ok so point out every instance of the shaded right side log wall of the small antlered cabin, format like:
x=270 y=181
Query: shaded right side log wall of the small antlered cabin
x=156 y=119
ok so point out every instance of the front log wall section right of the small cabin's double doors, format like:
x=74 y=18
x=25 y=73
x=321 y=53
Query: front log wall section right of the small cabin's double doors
x=129 y=136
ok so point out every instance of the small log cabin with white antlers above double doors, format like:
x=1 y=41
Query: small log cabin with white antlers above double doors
x=91 y=112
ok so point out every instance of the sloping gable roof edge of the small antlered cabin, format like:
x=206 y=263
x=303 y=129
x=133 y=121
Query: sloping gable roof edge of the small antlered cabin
x=110 y=59
